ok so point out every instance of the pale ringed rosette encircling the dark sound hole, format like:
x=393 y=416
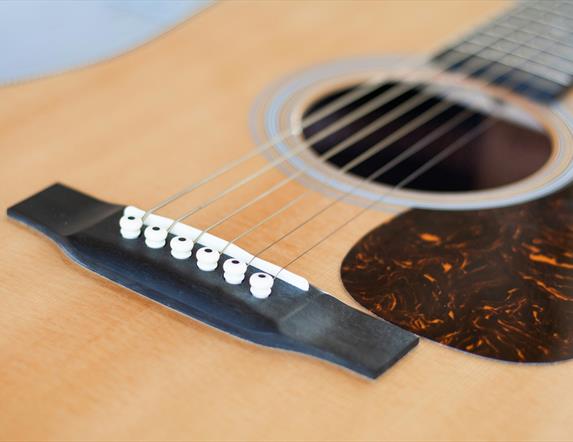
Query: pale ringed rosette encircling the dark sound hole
x=278 y=109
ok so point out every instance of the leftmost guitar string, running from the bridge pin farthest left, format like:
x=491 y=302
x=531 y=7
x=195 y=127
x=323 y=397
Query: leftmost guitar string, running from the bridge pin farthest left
x=340 y=103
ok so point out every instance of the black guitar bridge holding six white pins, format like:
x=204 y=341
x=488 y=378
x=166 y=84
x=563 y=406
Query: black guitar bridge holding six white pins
x=309 y=322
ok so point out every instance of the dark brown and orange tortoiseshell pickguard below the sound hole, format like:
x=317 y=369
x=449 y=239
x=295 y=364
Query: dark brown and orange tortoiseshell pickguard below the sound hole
x=497 y=283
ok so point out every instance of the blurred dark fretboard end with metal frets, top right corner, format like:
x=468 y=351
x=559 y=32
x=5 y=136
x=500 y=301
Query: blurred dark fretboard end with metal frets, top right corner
x=528 y=49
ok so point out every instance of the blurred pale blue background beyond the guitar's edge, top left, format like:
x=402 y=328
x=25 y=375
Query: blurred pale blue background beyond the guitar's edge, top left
x=43 y=37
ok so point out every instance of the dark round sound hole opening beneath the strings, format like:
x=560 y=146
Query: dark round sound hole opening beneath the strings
x=505 y=153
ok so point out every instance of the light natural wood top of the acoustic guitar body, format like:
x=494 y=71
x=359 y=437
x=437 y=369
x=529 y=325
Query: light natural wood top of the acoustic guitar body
x=82 y=358
